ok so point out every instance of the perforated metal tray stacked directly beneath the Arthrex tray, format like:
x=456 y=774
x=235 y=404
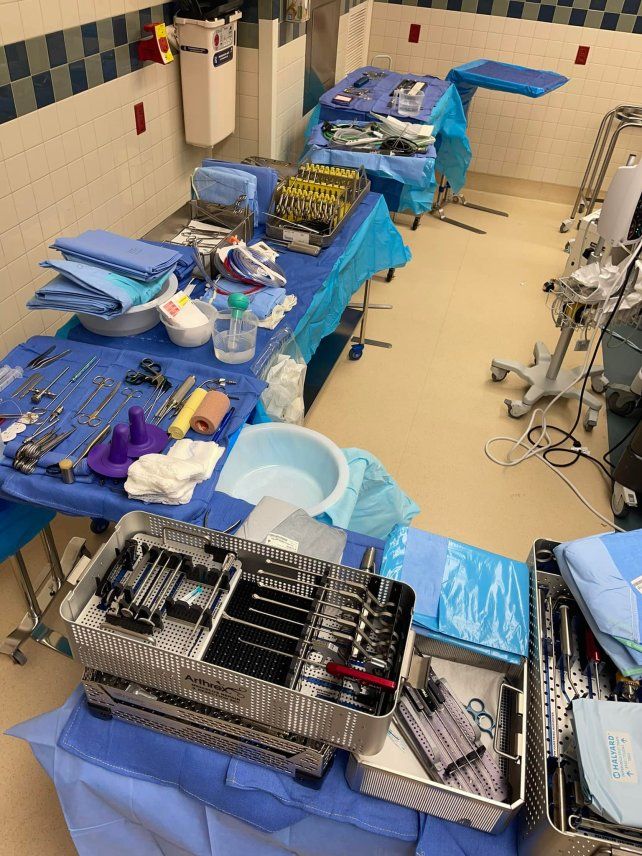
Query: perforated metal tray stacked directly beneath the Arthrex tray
x=178 y=717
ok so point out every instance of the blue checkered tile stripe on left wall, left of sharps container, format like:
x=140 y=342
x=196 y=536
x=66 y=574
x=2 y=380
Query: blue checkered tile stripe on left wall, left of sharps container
x=39 y=71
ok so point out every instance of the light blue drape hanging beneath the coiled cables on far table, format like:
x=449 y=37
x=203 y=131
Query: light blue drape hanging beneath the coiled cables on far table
x=413 y=178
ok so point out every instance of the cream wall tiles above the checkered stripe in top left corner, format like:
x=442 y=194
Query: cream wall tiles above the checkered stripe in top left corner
x=24 y=19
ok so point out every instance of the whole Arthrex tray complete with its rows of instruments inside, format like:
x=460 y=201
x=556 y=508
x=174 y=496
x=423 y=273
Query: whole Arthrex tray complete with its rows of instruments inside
x=293 y=643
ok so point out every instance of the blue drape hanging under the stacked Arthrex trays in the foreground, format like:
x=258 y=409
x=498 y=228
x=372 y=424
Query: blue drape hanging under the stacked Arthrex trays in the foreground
x=124 y=788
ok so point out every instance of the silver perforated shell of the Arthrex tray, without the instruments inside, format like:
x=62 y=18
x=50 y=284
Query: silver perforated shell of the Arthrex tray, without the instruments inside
x=164 y=666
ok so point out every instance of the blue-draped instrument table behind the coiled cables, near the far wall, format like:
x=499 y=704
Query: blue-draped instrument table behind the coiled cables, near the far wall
x=441 y=108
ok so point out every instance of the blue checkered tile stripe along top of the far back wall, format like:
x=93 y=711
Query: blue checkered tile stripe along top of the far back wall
x=625 y=16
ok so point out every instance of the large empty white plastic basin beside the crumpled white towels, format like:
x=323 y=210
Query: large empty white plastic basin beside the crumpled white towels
x=287 y=462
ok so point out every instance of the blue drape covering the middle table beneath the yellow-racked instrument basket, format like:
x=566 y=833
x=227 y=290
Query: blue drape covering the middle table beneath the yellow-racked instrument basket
x=369 y=242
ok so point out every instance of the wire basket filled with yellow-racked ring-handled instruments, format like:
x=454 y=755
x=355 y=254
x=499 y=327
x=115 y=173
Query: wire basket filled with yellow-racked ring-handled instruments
x=315 y=202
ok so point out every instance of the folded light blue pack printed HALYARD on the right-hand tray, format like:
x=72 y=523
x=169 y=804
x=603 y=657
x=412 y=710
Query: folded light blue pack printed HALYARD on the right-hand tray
x=608 y=735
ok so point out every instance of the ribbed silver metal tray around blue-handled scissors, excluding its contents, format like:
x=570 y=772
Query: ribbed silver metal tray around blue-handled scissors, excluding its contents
x=395 y=775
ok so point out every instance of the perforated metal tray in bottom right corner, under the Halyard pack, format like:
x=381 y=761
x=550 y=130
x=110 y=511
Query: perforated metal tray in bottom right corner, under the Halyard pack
x=538 y=834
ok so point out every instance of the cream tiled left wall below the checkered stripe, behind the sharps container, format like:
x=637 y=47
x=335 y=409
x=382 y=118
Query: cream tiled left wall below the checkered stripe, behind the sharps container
x=79 y=164
